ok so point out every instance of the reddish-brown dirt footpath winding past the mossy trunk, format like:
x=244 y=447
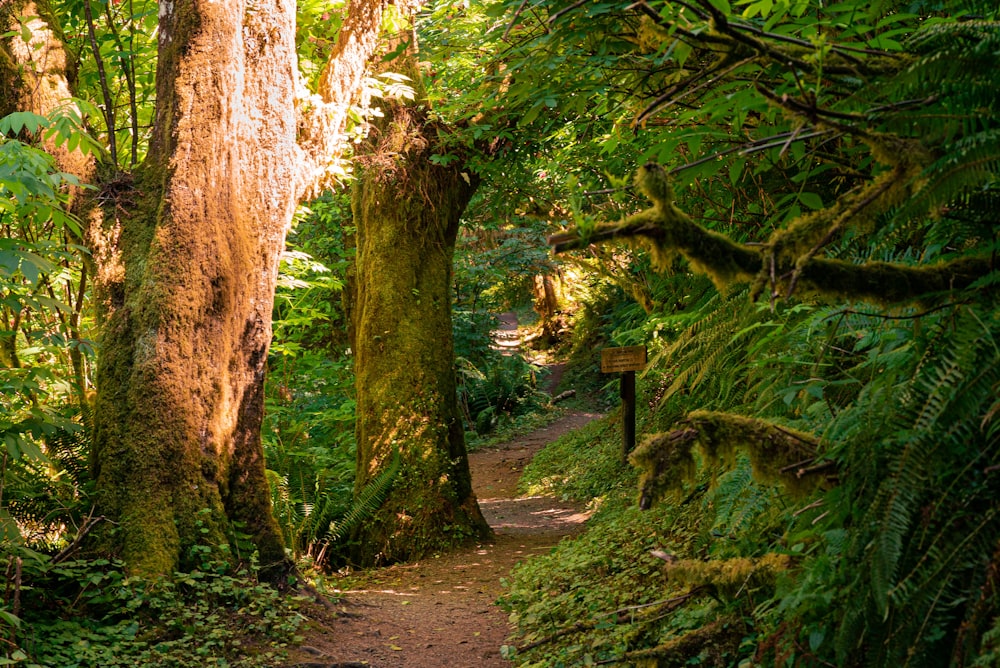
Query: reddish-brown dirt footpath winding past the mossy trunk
x=440 y=612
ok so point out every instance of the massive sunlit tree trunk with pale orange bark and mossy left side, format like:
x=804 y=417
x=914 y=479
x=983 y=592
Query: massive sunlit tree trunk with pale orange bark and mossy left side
x=189 y=263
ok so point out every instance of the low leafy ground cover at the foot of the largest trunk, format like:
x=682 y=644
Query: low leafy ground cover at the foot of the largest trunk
x=90 y=614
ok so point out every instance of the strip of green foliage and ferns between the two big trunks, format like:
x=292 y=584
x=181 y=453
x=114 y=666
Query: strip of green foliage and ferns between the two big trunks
x=309 y=426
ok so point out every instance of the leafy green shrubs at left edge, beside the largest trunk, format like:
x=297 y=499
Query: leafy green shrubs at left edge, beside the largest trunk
x=44 y=353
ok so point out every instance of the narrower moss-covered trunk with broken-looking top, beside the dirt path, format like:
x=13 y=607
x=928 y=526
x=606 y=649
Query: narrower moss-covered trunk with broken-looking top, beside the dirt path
x=407 y=213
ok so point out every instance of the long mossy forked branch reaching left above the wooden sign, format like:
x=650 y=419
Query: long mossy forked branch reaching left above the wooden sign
x=666 y=231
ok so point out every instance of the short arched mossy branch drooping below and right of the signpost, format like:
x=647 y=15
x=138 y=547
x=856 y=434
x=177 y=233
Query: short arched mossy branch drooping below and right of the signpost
x=778 y=454
